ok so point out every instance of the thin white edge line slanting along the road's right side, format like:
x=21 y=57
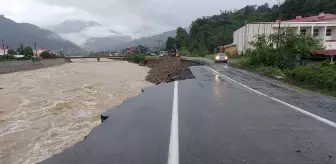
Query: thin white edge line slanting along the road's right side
x=321 y=119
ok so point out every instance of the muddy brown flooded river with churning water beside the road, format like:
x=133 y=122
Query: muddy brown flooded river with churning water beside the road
x=45 y=111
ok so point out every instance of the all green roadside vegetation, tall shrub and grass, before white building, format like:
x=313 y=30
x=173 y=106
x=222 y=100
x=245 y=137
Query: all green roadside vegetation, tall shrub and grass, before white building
x=286 y=56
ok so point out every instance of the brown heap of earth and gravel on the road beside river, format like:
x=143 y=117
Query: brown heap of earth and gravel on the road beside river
x=170 y=69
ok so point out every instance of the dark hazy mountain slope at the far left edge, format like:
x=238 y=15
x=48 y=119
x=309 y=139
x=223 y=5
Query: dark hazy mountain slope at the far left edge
x=15 y=34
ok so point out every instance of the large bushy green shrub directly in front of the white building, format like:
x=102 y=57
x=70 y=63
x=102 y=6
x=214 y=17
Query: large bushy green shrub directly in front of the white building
x=280 y=50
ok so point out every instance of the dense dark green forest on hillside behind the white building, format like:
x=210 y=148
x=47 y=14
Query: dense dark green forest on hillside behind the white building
x=209 y=32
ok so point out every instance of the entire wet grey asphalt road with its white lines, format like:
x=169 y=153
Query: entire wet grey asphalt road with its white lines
x=221 y=116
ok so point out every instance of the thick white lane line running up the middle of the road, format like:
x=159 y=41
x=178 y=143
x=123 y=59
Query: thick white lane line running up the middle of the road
x=174 y=142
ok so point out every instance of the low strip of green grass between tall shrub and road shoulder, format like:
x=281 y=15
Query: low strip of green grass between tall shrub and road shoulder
x=321 y=78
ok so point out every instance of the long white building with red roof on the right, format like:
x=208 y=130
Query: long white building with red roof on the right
x=322 y=26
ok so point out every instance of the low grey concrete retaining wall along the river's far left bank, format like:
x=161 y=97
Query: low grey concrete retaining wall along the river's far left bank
x=23 y=65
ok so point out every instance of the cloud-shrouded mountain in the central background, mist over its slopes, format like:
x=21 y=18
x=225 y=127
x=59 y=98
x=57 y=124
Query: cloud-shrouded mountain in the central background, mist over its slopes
x=93 y=36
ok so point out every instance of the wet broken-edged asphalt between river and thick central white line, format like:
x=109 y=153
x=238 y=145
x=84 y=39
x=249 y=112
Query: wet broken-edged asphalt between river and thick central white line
x=135 y=132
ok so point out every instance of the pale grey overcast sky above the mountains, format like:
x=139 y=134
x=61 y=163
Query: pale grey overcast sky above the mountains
x=132 y=17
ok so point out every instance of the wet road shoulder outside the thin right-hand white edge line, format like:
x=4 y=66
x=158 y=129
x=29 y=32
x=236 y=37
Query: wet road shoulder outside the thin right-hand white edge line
x=321 y=105
